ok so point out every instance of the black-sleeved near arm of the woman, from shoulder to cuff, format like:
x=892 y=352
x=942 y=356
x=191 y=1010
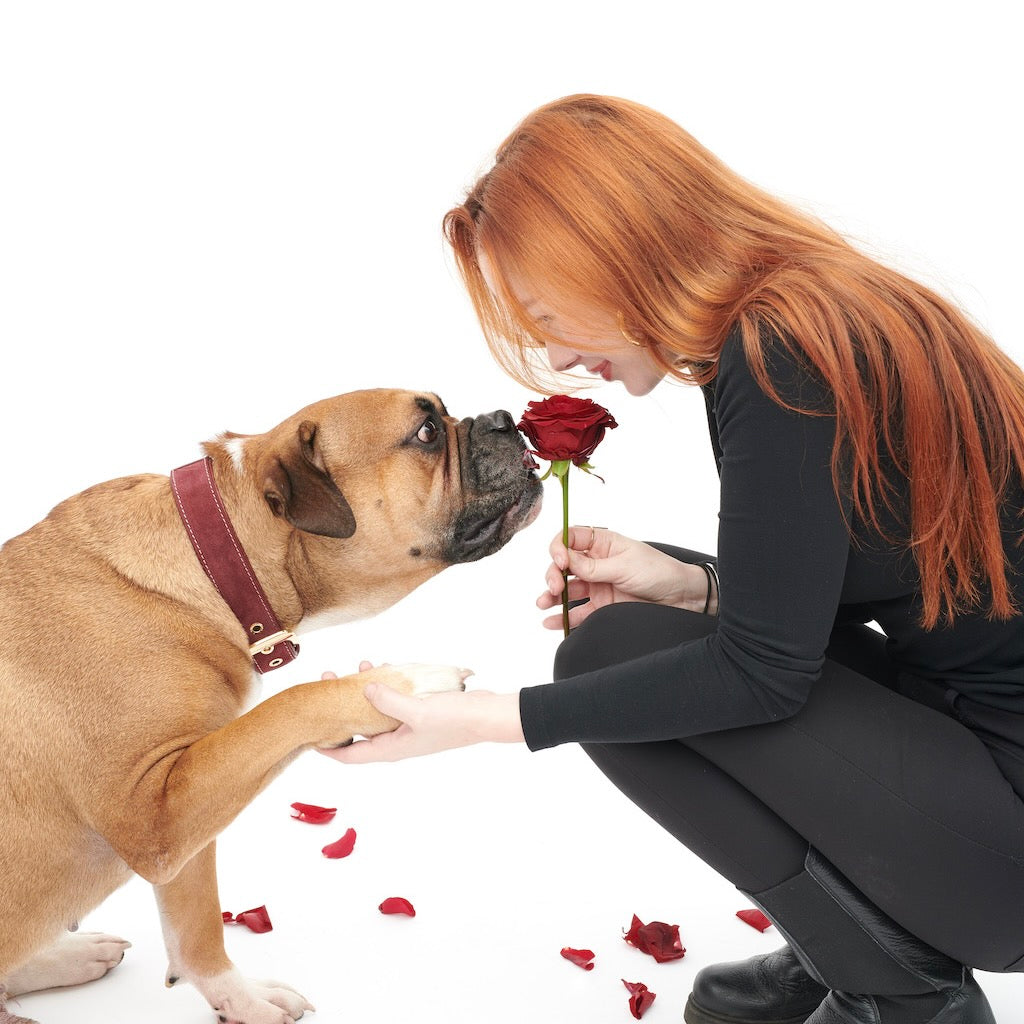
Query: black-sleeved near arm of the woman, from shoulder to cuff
x=783 y=550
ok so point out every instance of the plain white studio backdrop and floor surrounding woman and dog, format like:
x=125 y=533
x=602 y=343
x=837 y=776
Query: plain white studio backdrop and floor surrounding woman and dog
x=215 y=214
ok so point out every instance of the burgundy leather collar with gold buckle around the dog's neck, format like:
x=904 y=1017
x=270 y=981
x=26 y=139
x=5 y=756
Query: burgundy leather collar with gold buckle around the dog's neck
x=221 y=553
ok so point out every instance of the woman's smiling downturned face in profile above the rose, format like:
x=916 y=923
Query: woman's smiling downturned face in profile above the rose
x=588 y=338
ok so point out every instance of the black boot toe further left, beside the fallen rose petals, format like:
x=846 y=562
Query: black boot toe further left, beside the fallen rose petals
x=773 y=989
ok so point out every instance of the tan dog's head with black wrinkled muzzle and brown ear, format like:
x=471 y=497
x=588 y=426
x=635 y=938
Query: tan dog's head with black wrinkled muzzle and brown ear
x=401 y=479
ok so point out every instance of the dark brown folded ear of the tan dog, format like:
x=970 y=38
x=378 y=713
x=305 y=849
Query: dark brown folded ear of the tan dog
x=298 y=488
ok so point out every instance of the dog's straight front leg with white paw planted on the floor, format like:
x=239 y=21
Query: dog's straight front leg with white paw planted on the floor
x=194 y=933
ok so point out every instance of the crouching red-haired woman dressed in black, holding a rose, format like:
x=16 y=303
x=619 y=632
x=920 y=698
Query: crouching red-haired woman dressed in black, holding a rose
x=871 y=448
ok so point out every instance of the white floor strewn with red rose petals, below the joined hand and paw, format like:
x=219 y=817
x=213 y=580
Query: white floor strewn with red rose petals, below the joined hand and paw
x=507 y=859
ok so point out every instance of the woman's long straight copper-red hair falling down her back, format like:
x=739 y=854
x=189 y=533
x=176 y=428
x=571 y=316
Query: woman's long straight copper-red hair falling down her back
x=604 y=202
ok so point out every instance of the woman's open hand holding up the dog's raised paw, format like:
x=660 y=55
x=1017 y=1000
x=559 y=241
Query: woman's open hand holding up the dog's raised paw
x=433 y=723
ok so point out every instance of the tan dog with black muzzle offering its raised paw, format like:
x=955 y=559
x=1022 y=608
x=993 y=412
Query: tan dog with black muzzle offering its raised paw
x=122 y=748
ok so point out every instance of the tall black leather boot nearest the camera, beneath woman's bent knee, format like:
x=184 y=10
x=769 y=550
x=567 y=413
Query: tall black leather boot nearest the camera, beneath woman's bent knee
x=878 y=973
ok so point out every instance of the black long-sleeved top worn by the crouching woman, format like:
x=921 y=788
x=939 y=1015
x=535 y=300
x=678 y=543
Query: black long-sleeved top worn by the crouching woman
x=791 y=570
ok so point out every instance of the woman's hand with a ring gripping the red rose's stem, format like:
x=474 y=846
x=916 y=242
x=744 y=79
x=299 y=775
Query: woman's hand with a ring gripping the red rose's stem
x=611 y=569
